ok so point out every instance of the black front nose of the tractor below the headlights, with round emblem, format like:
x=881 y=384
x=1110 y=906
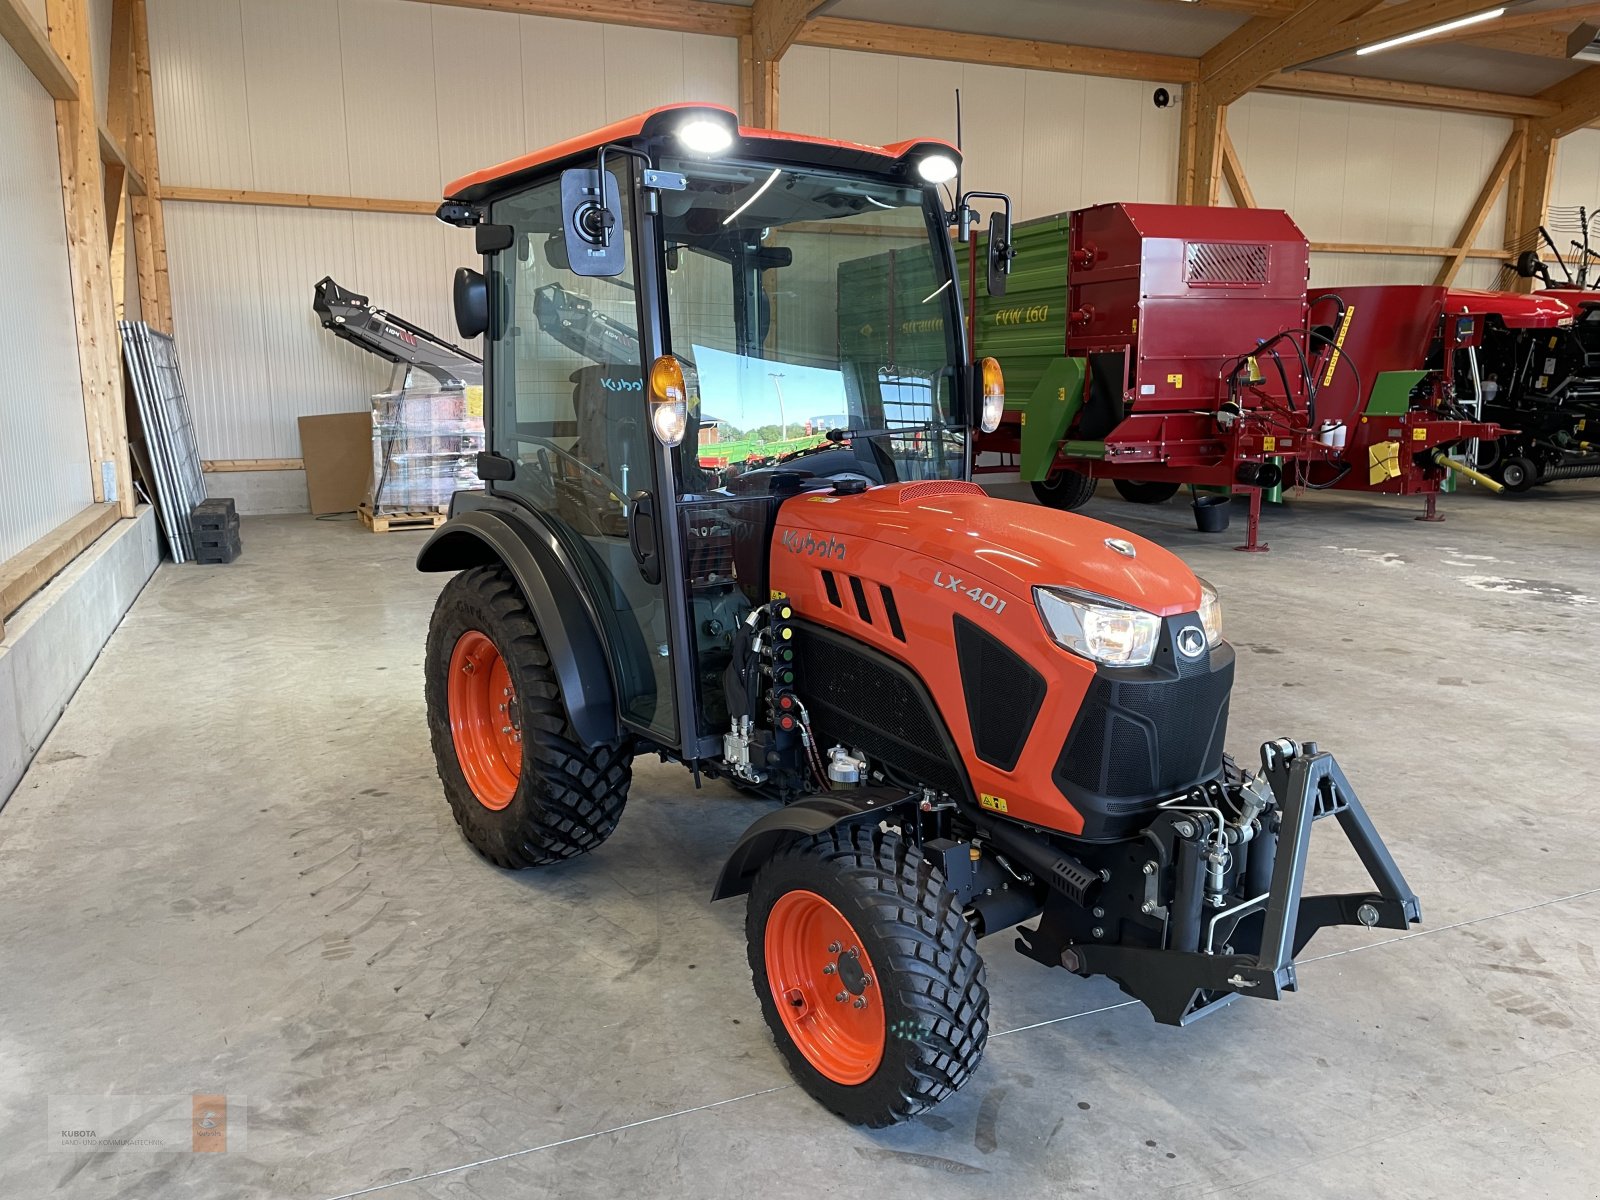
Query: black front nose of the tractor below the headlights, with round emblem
x=1143 y=737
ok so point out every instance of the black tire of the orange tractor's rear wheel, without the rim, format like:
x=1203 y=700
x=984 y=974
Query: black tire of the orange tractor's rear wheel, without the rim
x=569 y=796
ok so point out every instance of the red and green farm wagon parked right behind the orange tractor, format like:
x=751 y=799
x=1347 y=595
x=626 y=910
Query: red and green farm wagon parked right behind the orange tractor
x=1186 y=351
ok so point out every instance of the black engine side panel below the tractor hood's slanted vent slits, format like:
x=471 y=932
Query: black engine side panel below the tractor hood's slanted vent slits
x=866 y=700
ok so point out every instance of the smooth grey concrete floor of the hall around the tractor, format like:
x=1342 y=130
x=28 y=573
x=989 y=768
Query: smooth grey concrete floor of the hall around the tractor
x=231 y=870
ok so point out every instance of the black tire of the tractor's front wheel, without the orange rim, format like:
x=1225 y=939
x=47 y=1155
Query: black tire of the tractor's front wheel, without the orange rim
x=930 y=977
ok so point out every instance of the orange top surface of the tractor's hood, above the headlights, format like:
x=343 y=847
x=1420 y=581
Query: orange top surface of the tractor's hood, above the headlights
x=1007 y=545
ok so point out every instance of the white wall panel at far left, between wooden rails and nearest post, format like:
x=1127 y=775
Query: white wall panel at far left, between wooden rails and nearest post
x=44 y=446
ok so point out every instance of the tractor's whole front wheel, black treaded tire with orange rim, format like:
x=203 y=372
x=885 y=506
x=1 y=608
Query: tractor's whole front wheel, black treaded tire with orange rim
x=868 y=975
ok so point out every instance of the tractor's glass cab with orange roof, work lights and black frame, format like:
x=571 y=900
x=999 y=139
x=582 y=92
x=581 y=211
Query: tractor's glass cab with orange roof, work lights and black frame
x=684 y=324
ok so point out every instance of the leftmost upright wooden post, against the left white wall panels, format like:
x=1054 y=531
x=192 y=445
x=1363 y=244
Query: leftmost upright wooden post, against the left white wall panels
x=89 y=258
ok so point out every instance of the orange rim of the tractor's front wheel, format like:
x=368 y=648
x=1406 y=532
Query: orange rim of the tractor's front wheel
x=826 y=988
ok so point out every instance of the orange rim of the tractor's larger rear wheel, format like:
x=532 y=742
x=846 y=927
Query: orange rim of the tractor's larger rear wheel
x=484 y=722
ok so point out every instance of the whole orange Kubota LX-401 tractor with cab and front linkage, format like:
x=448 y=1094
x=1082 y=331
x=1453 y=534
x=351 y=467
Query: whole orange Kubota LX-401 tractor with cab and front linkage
x=975 y=713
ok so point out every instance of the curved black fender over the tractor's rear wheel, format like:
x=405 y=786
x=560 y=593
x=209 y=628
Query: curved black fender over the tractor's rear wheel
x=484 y=537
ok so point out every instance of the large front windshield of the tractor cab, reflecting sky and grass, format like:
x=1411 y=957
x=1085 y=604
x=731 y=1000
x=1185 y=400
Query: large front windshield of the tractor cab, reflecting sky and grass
x=818 y=316
